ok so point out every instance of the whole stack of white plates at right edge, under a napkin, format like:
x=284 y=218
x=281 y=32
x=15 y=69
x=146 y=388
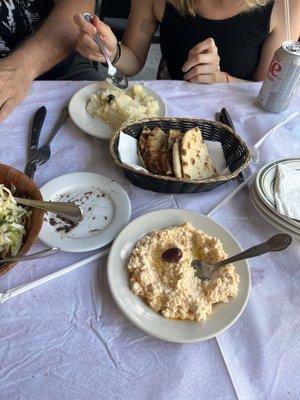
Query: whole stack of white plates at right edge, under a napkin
x=262 y=196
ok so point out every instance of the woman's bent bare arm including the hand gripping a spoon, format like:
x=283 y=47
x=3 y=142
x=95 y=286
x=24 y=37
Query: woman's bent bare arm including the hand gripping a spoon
x=136 y=41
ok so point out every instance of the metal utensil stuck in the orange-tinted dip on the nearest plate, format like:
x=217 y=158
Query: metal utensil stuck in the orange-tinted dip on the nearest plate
x=275 y=243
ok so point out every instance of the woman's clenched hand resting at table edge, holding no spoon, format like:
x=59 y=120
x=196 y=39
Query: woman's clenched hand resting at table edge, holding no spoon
x=203 y=64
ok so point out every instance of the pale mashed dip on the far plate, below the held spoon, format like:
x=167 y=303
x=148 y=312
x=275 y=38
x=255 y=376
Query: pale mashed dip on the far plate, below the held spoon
x=115 y=106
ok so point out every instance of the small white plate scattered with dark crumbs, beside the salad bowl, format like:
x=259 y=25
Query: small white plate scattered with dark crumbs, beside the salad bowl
x=105 y=205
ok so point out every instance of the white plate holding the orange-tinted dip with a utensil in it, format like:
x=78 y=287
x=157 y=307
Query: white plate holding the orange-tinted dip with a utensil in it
x=139 y=313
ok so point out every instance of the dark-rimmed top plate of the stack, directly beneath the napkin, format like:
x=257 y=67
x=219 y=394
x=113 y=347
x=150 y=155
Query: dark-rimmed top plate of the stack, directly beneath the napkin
x=265 y=186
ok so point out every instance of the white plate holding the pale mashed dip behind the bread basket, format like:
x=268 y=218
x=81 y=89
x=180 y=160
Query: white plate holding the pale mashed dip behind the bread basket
x=96 y=127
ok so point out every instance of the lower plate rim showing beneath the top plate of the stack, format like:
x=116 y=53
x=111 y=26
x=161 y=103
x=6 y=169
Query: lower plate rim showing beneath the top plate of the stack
x=271 y=217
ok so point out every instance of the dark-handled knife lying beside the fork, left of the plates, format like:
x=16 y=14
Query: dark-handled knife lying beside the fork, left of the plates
x=34 y=136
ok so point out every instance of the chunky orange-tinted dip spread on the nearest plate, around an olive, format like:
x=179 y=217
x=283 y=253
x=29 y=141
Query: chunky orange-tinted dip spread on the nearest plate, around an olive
x=172 y=287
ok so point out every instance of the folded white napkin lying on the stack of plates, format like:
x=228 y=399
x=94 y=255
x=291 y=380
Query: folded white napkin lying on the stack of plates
x=287 y=191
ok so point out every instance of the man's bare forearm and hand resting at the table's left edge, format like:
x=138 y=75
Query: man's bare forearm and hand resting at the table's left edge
x=46 y=47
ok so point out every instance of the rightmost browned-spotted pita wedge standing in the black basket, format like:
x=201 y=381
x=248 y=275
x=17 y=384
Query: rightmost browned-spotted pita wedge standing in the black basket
x=195 y=160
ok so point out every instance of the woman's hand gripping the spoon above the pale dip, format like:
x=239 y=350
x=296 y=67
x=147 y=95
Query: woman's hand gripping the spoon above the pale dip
x=86 y=45
